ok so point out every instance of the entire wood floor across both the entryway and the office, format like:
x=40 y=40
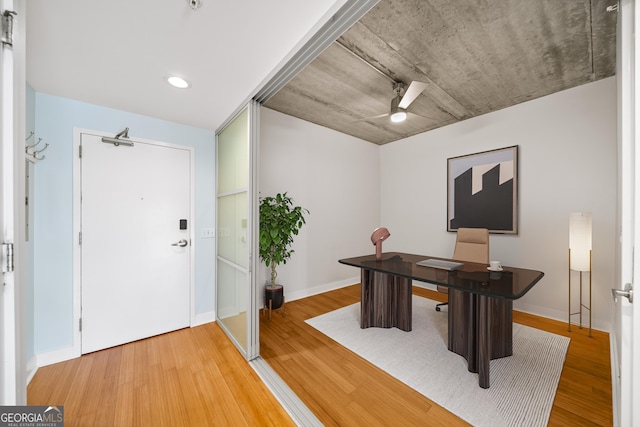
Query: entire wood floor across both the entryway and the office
x=196 y=377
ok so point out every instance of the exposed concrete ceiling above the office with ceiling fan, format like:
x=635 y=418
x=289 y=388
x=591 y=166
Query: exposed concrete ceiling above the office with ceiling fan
x=474 y=56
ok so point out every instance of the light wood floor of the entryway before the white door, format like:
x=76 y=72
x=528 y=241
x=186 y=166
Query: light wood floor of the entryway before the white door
x=192 y=377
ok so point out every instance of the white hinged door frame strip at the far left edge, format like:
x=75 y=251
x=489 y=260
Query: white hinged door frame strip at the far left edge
x=13 y=349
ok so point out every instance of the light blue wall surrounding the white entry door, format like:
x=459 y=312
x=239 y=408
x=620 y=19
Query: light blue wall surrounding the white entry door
x=55 y=119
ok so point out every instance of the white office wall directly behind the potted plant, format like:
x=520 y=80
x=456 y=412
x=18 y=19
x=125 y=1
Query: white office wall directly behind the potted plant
x=336 y=177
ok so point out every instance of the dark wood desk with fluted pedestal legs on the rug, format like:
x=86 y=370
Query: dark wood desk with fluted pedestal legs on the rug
x=480 y=302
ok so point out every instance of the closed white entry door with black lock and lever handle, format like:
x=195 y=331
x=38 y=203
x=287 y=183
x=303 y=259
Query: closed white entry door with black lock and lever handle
x=135 y=241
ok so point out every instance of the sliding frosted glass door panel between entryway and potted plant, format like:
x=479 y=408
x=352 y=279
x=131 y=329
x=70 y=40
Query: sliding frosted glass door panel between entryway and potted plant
x=236 y=203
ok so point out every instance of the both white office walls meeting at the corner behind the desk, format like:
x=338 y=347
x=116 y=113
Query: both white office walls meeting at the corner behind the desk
x=567 y=144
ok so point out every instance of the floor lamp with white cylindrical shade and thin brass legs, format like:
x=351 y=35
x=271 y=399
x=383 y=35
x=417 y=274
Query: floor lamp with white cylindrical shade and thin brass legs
x=580 y=257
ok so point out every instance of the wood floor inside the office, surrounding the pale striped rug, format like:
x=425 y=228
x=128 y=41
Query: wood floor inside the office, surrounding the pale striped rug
x=344 y=390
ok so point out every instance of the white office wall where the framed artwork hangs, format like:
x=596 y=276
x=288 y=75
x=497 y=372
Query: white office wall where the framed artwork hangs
x=567 y=163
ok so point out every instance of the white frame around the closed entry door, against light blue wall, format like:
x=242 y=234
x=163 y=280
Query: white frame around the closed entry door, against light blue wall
x=77 y=207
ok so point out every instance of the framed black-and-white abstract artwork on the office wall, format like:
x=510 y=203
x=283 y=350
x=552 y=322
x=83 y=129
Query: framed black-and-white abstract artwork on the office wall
x=482 y=191
